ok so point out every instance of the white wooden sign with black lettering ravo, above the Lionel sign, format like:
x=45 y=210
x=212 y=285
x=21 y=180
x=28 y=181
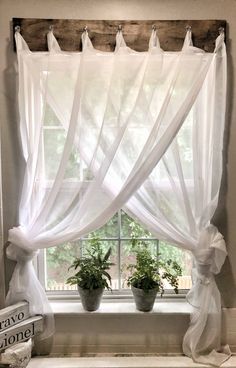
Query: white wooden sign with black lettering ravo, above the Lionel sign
x=13 y=315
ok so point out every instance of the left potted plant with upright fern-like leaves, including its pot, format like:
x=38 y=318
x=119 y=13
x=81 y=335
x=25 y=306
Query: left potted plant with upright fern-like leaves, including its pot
x=92 y=276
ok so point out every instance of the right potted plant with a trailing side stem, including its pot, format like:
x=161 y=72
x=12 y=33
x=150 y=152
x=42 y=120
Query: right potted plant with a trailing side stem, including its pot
x=147 y=275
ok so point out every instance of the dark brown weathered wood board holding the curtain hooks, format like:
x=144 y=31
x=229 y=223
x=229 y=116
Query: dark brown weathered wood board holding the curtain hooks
x=102 y=32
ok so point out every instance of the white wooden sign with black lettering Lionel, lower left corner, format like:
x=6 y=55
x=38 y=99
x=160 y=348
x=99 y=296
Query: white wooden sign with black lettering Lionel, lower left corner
x=21 y=332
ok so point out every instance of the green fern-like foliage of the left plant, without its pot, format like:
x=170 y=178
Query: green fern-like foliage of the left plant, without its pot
x=93 y=267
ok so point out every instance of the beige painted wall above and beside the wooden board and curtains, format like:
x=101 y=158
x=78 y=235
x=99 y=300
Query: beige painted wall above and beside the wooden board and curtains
x=116 y=9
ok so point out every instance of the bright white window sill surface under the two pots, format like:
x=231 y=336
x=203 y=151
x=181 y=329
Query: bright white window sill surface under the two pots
x=126 y=307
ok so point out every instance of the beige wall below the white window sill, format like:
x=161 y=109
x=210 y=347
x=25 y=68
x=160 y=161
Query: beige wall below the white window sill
x=130 y=333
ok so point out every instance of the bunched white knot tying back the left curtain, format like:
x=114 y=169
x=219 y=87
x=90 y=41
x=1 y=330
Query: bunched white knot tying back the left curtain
x=20 y=248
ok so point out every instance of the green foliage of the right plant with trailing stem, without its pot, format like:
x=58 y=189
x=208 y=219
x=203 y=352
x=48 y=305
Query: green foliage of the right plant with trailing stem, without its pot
x=149 y=271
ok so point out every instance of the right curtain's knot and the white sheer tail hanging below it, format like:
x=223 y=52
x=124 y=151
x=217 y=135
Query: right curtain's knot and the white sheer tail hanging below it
x=202 y=339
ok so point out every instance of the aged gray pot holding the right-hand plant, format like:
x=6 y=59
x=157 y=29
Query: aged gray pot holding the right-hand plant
x=144 y=300
